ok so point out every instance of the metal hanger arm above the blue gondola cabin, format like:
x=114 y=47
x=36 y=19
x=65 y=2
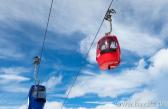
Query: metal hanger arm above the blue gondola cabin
x=36 y=65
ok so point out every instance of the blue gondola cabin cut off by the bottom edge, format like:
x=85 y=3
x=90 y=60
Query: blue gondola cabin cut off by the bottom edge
x=37 y=97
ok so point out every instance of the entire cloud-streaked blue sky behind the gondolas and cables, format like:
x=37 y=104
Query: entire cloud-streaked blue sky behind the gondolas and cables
x=141 y=27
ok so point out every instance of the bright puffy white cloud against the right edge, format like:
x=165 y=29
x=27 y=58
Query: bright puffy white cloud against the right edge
x=159 y=70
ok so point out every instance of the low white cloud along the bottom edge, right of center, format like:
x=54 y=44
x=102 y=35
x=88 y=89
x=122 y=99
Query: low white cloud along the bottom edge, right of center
x=140 y=99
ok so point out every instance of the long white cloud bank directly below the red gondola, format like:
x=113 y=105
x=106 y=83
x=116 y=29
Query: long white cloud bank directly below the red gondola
x=109 y=85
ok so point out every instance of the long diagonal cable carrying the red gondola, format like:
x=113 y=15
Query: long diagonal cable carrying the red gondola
x=86 y=55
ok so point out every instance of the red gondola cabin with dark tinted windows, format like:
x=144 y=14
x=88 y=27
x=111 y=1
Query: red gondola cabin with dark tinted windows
x=108 y=52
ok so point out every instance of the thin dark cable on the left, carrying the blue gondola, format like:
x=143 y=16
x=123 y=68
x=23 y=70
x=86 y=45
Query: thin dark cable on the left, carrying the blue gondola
x=45 y=35
